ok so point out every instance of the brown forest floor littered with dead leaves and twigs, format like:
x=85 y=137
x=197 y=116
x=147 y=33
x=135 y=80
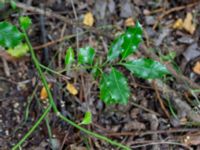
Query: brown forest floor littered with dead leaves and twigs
x=161 y=114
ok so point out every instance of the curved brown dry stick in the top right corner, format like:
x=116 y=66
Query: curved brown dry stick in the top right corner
x=171 y=11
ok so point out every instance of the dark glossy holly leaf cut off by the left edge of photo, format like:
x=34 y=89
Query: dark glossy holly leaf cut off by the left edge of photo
x=10 y=36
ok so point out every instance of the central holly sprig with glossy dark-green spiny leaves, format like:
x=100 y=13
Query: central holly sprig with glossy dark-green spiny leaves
x=113 y=85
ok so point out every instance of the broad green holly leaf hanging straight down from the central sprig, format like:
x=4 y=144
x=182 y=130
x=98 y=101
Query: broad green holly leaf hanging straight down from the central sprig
x=114 y=88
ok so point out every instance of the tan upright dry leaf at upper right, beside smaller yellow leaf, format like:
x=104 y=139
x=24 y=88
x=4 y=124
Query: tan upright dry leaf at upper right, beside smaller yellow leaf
x=188 y=25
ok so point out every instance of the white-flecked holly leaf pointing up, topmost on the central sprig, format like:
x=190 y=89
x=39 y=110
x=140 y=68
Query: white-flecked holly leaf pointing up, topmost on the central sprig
x=127 y=43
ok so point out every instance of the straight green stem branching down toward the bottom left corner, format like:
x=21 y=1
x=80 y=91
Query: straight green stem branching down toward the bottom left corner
x=32 y=128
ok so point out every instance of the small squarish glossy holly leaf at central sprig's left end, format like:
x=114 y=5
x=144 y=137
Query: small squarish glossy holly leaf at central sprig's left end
x=86 y=55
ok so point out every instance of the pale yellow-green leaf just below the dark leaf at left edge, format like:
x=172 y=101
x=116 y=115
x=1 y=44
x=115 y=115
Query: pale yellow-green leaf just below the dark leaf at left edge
x=18 y=51
